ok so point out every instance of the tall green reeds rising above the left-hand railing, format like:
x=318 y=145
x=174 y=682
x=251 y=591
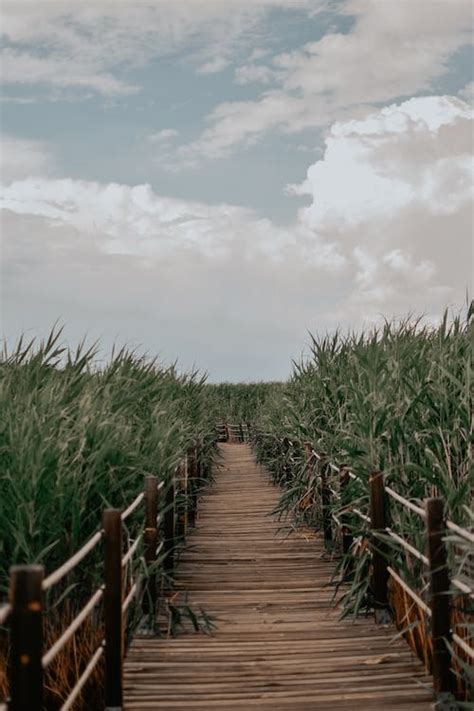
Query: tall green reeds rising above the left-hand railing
x=75 y=439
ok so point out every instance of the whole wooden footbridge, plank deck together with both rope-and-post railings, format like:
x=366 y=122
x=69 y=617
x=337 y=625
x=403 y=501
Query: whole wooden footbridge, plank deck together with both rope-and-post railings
x=279 y=641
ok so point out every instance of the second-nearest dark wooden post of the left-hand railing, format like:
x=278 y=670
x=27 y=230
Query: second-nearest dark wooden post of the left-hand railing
x=113 y=600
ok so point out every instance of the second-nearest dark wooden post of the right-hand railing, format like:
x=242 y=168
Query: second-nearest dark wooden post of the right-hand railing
x=378 y=519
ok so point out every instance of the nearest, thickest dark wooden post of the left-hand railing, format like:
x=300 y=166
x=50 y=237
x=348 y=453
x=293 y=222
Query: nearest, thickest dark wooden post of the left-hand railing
x=26 y=646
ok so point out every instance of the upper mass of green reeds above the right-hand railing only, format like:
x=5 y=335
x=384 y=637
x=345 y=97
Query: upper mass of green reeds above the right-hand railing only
x=396 y=399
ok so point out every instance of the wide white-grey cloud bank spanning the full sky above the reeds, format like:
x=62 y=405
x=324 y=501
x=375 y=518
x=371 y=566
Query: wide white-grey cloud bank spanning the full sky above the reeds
x=387 y=231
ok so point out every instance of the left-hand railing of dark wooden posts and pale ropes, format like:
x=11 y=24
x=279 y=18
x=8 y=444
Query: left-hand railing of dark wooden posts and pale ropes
x=157 y=538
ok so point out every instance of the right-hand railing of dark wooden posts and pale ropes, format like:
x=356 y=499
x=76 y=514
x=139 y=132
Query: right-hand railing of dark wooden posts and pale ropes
x=436 y=528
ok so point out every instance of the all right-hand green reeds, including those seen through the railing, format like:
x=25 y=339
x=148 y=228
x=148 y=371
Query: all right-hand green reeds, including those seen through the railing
x=397 y=399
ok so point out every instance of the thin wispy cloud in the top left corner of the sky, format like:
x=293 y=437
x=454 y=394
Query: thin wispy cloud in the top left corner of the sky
x=90 y=45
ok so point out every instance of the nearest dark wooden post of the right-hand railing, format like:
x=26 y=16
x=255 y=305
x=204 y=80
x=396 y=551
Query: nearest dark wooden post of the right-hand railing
x=443 y=678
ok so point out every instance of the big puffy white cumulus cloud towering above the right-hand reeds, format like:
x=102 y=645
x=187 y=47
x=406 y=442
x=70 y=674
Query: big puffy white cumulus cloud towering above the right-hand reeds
x=394 y=191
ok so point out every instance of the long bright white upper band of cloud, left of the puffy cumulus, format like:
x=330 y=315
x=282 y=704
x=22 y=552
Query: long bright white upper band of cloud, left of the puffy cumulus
x=134 y=220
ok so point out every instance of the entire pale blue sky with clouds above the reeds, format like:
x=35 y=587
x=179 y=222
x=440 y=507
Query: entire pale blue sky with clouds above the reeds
x=209 y=181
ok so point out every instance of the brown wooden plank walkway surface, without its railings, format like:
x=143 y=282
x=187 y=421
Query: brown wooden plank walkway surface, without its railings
x=279 y=642
